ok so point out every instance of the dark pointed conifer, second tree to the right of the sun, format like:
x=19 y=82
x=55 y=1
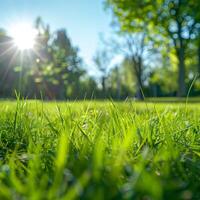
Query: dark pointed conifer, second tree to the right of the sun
x=68 y=64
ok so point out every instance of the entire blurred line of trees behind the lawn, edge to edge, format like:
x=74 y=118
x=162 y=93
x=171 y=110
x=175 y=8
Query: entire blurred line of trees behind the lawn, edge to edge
x=159 y=41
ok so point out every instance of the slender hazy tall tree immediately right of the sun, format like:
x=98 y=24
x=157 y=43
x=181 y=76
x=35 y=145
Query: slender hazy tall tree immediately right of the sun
x=42 y=69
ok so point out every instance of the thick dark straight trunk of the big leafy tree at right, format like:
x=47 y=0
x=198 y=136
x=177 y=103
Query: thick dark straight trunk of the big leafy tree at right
x=181 y=72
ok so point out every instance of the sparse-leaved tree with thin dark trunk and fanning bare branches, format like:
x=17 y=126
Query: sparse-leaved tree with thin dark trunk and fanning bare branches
x=136 y=48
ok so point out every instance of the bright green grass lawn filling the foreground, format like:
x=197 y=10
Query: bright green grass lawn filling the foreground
x=99 y=150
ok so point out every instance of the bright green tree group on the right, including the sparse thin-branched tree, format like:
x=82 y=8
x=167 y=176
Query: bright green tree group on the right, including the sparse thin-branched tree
x=166 y=29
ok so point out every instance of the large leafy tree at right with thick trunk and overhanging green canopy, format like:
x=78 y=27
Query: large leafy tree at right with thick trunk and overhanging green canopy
x=173 y=19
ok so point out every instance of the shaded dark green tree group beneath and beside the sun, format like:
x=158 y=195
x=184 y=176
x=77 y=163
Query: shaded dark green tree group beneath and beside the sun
x=53 y=69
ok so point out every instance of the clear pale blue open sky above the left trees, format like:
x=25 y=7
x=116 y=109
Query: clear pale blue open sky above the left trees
x=84 y=20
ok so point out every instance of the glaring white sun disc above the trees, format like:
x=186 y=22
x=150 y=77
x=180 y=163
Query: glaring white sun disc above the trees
x=23 y=35
